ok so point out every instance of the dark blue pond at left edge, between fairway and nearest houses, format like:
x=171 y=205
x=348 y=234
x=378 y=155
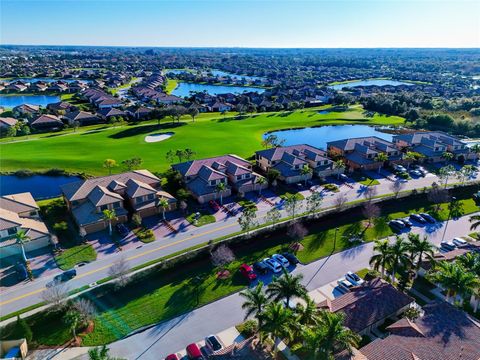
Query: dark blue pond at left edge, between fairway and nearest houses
x=41 y=186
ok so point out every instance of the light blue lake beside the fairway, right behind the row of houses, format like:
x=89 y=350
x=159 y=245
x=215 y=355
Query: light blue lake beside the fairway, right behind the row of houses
x=319 y=136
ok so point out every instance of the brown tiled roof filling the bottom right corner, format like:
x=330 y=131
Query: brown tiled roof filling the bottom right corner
x=442 y=333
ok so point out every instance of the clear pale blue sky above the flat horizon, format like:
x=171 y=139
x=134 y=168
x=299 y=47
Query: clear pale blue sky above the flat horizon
x=247 y=23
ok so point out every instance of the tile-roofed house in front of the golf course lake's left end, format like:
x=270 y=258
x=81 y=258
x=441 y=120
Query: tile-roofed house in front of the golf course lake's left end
x=289 y=161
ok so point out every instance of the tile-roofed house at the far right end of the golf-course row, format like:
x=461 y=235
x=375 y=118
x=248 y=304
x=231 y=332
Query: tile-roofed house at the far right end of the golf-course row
x=433 y=144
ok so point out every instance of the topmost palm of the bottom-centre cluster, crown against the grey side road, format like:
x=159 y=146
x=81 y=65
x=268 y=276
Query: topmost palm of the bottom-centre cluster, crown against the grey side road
x=286 y=287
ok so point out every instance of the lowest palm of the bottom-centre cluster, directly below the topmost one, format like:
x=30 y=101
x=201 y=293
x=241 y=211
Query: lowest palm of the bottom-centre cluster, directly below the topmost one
x=276 y=323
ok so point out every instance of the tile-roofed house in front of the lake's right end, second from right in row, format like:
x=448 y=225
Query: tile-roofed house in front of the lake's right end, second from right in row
x=361 y=153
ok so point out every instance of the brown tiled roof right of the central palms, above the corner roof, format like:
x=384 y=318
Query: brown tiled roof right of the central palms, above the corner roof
x=368 y=306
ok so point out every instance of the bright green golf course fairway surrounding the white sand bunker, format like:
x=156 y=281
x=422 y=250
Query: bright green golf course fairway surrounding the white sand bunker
x=210 y=135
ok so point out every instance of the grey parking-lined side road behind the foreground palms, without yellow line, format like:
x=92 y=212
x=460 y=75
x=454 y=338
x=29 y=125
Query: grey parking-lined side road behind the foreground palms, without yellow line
x=175 y=334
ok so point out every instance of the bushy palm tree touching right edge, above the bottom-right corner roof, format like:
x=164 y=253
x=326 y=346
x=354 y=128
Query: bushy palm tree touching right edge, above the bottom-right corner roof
x=454 y=279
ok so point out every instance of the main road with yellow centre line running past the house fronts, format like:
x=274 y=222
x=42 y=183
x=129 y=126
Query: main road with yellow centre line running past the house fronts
x=25 y=294
